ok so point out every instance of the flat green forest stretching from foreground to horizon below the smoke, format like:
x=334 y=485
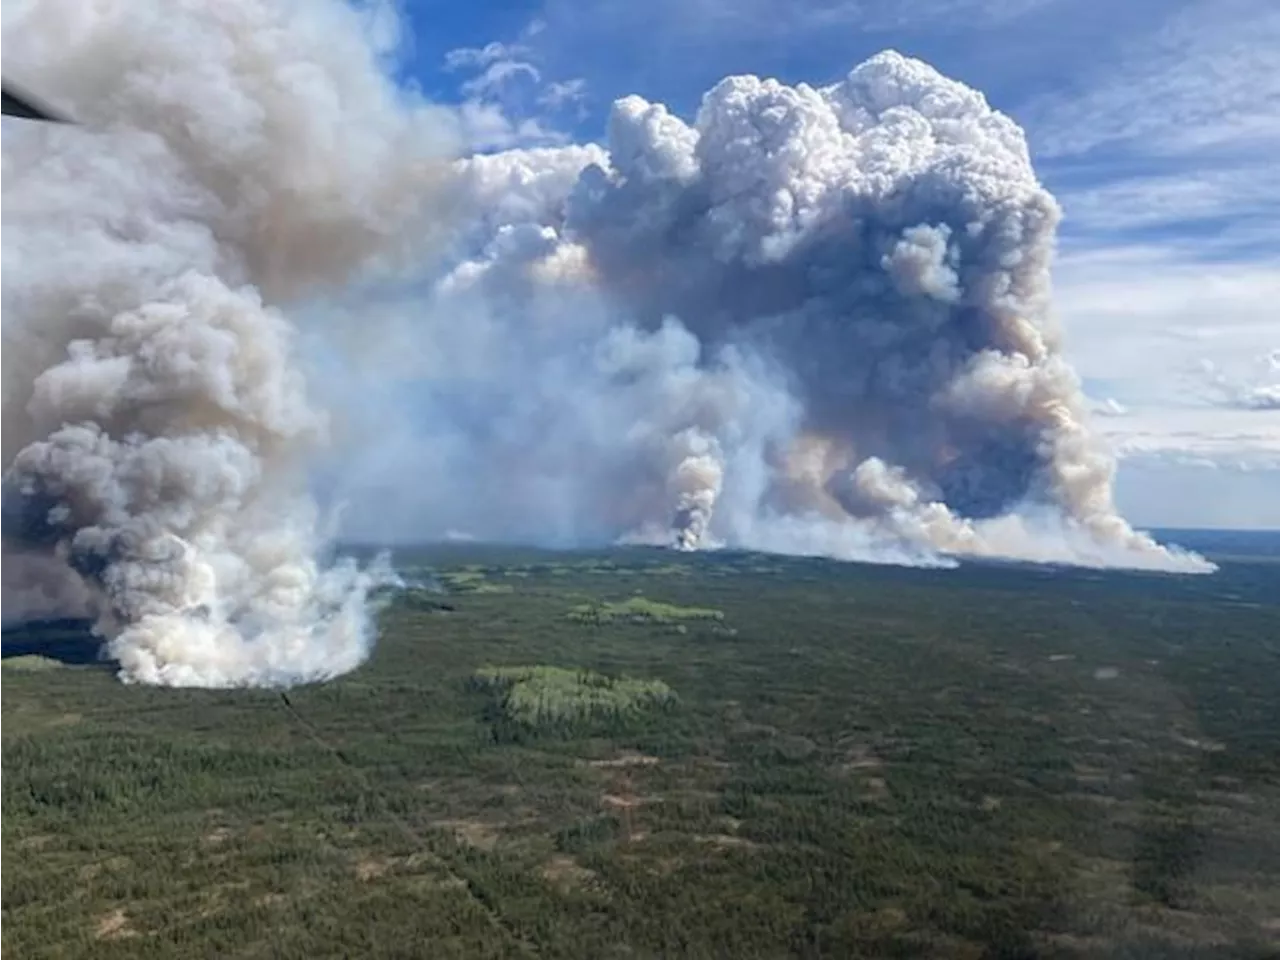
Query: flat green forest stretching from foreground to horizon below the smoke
x=636 y=753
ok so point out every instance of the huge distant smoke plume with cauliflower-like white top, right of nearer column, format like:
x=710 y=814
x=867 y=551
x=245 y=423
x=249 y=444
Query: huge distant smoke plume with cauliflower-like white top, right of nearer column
x=815 y=321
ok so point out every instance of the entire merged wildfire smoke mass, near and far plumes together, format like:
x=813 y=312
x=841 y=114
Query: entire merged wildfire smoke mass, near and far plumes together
x=815 y=321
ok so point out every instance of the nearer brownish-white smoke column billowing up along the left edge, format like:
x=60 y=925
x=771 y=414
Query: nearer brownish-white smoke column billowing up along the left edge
x=235 y=157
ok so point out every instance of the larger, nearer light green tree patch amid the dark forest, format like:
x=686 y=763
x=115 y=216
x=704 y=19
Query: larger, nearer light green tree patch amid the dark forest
x=551 y=697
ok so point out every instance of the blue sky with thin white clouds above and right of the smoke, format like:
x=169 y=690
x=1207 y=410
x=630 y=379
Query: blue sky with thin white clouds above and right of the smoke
x=1155 y=124
